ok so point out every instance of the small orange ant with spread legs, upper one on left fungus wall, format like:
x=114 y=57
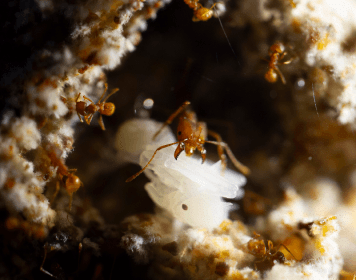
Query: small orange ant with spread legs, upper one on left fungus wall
x=88 y=111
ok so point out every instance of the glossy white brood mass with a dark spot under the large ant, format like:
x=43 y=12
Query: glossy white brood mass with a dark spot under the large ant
x=200 y=187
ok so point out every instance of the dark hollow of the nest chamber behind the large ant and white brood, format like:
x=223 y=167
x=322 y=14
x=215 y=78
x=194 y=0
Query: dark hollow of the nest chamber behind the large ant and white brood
x=178 y=60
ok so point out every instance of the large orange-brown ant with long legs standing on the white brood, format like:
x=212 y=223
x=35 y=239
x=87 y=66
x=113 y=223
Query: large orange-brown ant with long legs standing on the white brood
x=191 y=135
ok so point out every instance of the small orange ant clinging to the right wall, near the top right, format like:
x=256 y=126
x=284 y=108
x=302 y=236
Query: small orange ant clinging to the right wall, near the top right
x=276 y=53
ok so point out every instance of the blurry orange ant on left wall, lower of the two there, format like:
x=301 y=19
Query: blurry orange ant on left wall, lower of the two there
x=71 y=182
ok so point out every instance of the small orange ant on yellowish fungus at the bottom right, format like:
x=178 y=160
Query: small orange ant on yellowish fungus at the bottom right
x=265 y=251
